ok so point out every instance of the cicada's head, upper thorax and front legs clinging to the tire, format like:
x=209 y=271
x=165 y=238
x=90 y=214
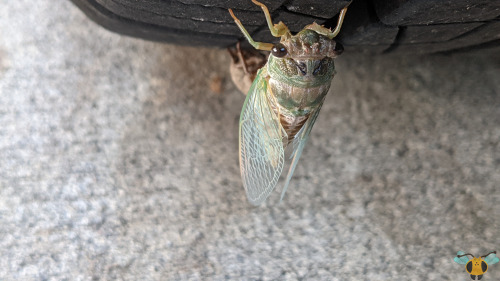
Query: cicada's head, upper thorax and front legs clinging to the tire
x=304 y=59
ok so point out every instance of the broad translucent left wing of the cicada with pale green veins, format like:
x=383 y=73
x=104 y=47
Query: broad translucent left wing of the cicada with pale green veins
x=261 y=145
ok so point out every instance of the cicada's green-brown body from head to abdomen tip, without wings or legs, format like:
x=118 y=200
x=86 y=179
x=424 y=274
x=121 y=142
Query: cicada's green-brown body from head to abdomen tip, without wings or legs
x=299 y=81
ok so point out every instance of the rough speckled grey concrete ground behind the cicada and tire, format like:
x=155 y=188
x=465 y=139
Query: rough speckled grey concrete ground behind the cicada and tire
x=119 y=163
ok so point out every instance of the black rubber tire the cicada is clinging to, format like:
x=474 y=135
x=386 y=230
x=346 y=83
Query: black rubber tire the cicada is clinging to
x=376 y=26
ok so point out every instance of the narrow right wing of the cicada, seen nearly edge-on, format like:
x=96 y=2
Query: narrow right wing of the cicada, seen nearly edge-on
x=298 y=145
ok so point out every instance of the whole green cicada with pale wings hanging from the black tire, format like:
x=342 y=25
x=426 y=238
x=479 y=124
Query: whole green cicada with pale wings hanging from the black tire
x=283 y=102
